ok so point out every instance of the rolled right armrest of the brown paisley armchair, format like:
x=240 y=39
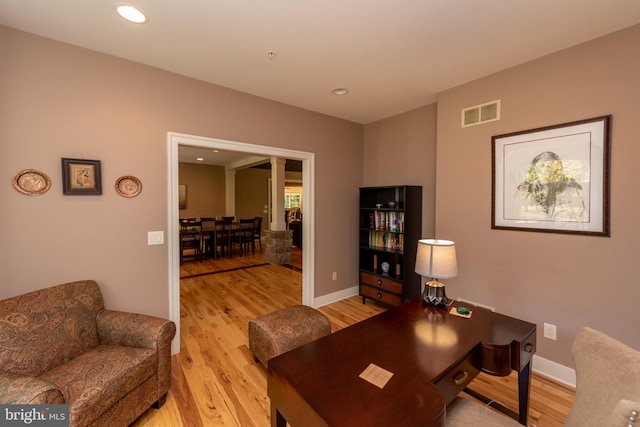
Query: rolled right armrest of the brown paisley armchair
x=139 y=330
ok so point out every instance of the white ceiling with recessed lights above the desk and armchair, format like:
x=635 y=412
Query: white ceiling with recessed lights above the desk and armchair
x=393 y=55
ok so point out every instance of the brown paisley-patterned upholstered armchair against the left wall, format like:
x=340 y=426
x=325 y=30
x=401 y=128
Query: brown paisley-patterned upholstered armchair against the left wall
x=59 y=345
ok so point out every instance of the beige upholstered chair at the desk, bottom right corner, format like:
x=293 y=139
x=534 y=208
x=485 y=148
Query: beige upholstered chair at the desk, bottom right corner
x=607 y=388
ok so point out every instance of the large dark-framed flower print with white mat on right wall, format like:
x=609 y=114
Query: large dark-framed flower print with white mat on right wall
x=553 y=179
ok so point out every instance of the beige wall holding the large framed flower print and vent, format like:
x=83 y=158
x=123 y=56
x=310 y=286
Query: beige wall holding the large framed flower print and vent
x=570 y=281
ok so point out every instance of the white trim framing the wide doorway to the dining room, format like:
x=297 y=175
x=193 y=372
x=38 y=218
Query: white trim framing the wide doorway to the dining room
x=173 y=251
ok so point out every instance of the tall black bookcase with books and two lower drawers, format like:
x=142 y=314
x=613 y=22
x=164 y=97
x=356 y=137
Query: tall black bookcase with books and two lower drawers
x=390 y=226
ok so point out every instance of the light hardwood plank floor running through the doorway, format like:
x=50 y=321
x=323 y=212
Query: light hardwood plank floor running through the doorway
x=215 y=380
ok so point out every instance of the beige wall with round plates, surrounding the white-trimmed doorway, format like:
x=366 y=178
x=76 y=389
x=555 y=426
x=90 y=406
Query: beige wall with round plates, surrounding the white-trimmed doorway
x=63 y=101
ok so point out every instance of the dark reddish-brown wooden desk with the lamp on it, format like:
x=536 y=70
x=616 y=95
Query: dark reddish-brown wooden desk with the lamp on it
x=432 y=354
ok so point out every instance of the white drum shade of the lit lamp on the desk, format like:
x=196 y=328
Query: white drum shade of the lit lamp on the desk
x=436 y=259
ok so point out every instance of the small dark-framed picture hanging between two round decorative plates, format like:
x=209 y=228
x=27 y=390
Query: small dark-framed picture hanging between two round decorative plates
x=81 y=177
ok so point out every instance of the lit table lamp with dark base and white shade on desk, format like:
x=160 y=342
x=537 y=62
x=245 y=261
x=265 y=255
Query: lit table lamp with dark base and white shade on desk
x=436 y=259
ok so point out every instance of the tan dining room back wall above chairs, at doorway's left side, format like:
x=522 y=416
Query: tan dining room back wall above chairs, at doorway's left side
x=205 y=190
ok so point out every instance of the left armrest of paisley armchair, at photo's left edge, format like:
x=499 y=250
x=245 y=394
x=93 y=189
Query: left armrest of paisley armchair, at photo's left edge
x=26 y=390
